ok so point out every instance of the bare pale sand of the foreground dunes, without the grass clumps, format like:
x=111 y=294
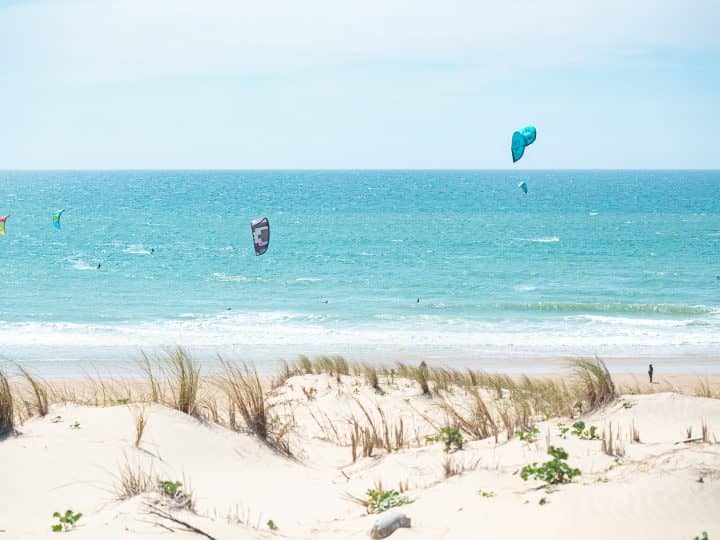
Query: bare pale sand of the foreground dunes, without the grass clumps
x=655 y=488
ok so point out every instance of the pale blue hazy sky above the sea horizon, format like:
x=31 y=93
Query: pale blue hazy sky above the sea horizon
x=347 y=84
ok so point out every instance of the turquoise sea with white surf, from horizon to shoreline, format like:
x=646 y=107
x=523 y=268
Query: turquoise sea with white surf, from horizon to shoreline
x=614 y=263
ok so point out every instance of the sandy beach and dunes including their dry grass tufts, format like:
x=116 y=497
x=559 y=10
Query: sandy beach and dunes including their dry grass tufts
x=648 y=455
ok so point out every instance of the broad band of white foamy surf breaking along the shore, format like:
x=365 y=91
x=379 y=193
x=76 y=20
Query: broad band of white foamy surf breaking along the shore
x=287 y=333
